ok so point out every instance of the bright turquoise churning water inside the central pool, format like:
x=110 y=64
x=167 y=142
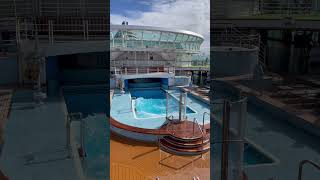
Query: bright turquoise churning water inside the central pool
x=152 y=103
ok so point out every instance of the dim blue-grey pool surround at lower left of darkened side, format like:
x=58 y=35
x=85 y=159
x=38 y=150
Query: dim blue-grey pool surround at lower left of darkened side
x=35 y=138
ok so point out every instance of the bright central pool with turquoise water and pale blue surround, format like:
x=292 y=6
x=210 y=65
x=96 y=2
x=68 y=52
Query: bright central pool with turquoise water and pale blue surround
x=150 y=107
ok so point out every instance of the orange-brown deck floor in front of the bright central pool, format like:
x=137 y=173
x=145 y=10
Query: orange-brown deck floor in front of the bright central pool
x=145 y=161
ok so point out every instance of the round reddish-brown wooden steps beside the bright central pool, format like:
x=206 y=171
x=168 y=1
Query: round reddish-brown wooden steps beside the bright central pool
x=186 y=141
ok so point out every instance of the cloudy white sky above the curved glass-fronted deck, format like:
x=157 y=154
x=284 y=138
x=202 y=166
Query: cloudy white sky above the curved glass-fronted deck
x=192 y=15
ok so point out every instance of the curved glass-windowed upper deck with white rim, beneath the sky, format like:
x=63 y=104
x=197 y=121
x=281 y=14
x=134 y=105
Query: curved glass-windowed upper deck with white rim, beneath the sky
x=152 y=37
